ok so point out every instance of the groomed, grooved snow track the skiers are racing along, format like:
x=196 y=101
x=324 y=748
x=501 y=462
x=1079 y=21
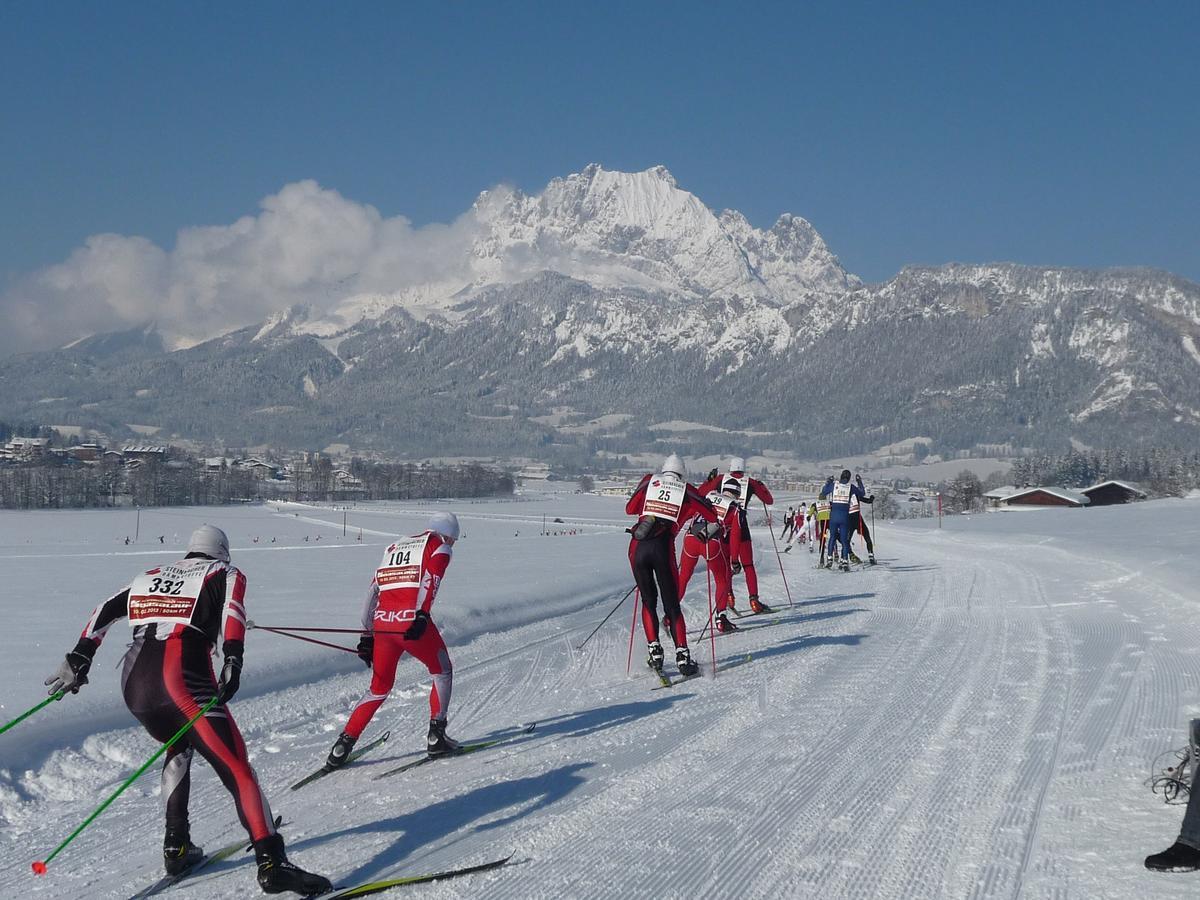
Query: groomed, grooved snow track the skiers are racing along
x=974 y=718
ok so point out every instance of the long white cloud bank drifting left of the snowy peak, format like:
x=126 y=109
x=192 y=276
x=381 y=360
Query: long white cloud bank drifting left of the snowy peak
x=307 y=245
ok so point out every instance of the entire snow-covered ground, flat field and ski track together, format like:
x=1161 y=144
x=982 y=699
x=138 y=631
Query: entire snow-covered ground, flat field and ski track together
x=974 y=718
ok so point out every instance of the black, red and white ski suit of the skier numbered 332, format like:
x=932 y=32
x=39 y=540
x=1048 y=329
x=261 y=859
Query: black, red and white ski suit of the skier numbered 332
x=166 y=680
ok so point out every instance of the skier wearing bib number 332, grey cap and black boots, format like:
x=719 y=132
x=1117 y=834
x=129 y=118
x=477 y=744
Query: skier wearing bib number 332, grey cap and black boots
x=177 y=614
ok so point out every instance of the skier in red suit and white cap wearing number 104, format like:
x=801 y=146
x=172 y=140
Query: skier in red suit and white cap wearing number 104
x=397 y=621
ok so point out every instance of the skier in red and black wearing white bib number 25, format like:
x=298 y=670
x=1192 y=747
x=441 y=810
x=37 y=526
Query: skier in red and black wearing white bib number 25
x=663 y=503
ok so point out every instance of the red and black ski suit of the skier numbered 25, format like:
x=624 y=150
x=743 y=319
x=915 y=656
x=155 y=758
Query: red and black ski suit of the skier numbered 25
x=653 y=560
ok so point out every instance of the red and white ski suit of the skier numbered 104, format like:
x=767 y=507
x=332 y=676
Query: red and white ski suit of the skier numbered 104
x=403 y=586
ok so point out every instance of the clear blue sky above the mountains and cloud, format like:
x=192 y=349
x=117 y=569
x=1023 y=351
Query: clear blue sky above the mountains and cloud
x=1049 y=134
